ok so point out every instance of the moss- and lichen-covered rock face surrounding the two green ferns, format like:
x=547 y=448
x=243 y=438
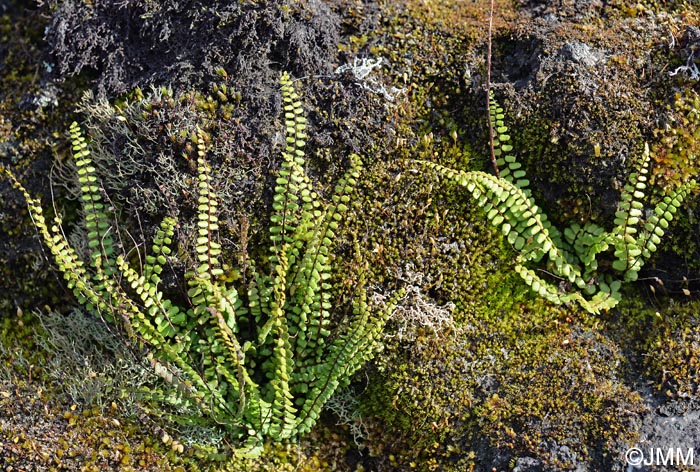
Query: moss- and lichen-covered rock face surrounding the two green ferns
x=509 y=376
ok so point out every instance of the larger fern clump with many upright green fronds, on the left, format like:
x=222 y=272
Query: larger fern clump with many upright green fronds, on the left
x=260 y=360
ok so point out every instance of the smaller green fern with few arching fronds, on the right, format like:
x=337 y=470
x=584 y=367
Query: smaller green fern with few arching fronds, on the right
x=574 y=258
